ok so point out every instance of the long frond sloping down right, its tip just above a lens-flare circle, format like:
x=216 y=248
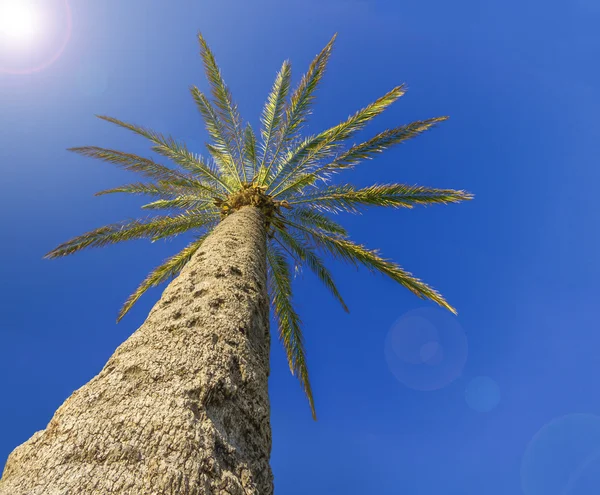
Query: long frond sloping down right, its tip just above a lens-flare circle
x=357 y=254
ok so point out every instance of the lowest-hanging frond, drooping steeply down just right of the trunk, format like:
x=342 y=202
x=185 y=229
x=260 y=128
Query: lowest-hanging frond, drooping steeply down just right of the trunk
x=288 y=321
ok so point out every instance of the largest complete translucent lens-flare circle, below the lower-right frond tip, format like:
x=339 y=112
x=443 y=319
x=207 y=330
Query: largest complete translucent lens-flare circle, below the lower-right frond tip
x=426 y=349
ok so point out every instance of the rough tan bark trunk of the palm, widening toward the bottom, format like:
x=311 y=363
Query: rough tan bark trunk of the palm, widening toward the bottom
x=182 y=406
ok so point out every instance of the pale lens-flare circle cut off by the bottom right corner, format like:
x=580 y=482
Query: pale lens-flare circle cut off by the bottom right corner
x=563 y=458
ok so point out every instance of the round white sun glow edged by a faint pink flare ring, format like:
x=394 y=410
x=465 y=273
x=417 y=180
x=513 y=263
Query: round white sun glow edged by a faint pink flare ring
x=33 y=34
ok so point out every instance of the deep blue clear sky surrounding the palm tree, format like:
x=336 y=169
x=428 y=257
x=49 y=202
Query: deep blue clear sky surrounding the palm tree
x=512 y=406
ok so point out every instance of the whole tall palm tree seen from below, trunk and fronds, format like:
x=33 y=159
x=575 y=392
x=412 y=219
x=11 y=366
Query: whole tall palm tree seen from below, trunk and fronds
x=182 y=406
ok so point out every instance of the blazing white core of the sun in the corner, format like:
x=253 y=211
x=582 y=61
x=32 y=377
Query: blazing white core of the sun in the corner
x=19 y=21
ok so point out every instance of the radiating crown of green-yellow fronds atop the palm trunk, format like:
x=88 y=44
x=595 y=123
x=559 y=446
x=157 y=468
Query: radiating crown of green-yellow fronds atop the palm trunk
x=283 y=174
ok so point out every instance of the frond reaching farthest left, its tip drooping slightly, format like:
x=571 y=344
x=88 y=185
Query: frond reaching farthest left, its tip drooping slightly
x=154 y=228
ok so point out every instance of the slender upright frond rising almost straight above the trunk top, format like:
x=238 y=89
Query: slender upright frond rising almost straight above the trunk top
x=272 y=116
